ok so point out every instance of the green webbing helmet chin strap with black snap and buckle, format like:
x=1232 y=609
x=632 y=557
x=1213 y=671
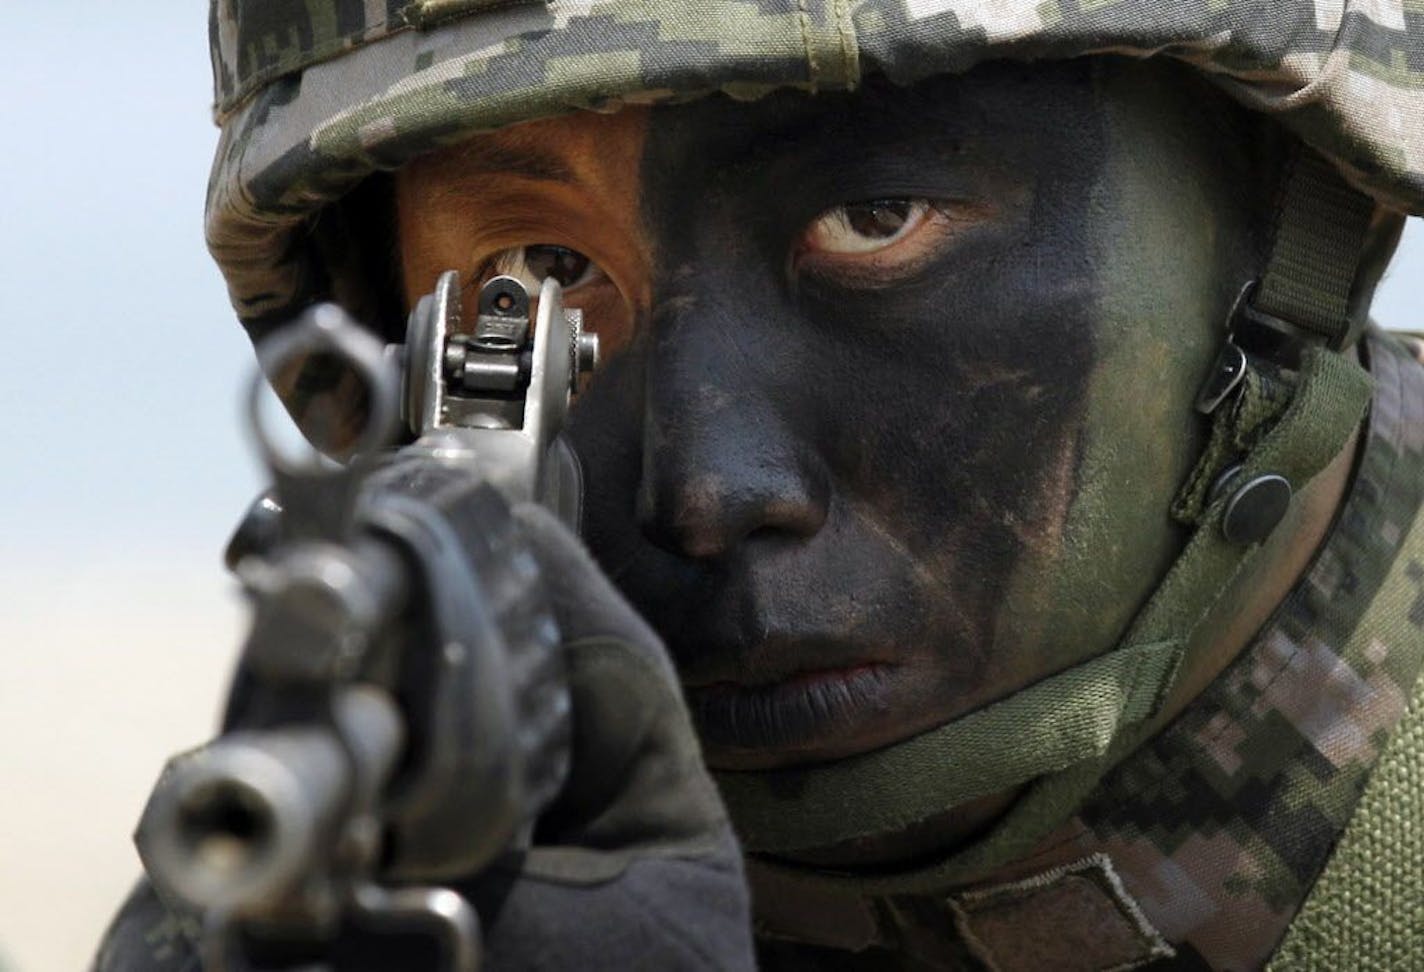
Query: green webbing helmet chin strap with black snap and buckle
x=1284 y=402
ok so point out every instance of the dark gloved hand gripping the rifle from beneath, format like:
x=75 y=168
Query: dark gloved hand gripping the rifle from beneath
x=634 y=866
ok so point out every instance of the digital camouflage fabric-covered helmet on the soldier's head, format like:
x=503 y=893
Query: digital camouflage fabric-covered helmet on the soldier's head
x=315 y=95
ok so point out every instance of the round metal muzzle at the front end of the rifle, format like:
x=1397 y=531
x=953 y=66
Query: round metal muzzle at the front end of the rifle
x=239 y=825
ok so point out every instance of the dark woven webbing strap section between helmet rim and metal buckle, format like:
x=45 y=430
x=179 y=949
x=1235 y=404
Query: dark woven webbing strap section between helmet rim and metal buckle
x=1321 y=231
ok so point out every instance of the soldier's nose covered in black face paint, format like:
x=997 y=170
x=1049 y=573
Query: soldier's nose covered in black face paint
x=724 y=460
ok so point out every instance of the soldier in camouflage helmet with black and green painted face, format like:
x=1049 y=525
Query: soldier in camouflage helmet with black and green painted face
x=992 y=433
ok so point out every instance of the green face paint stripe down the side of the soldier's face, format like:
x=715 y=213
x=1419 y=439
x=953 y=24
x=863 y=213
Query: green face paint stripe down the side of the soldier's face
x=1173 y=230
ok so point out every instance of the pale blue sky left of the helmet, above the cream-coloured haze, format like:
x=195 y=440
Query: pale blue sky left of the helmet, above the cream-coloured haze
x=122 y=356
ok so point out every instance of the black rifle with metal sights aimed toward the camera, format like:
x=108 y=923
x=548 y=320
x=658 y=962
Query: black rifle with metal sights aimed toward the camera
x=399 y=717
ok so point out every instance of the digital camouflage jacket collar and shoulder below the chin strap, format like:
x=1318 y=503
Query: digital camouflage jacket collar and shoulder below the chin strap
x=1200 y=849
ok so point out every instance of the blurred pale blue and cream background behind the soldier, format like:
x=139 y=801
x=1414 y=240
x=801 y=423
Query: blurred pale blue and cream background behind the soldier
x=125 y=462
